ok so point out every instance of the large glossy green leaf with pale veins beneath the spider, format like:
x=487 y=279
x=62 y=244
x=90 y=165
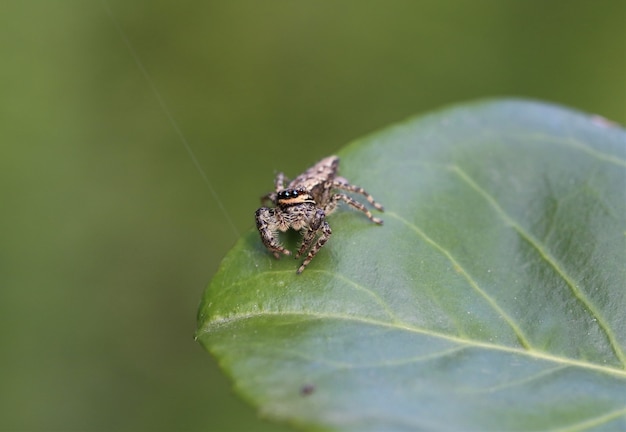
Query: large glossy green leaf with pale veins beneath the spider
x=492 y=298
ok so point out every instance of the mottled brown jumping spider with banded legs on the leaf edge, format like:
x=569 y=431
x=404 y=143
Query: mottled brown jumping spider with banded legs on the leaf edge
x=304 y=205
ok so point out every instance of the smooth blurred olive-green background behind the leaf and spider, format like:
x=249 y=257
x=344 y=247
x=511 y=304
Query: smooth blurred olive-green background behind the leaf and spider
x=109 y=233
